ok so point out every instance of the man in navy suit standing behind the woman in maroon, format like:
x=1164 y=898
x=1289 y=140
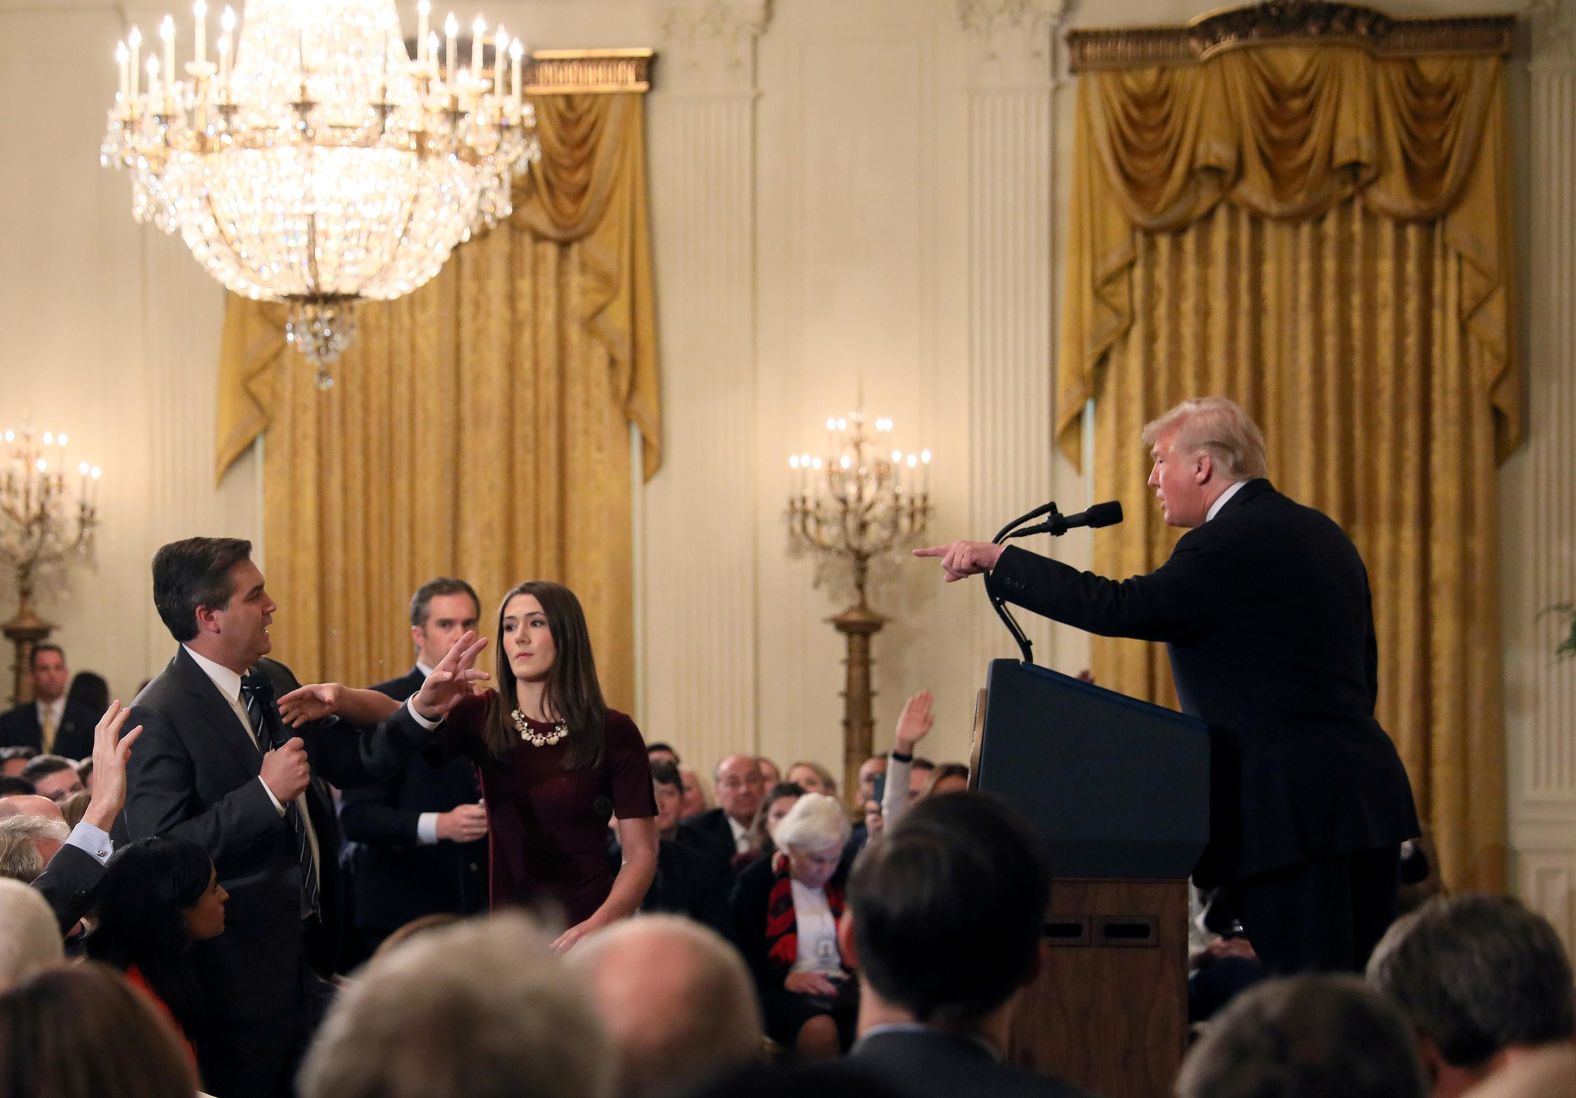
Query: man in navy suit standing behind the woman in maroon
x=422 y=837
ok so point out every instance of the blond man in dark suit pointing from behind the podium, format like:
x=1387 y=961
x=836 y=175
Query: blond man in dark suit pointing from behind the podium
x=1268 y=618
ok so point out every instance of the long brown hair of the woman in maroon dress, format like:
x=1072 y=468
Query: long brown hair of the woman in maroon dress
x=573 y=689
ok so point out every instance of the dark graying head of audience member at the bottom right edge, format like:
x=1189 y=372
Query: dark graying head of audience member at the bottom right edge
x=1484 y=982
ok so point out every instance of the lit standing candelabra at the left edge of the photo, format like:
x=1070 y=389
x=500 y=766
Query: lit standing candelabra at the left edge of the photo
x=40 y=527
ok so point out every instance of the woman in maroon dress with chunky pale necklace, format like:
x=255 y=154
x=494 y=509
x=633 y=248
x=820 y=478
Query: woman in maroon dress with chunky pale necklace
x=556 y=765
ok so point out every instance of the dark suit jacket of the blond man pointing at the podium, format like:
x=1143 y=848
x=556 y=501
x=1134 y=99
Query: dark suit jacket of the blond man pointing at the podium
x=1269 y=625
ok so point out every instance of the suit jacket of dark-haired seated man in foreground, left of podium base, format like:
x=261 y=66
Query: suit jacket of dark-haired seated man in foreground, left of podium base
x=935 y=1064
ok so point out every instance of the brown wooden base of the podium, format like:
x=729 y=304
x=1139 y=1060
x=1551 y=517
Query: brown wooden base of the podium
x=1109 y=1011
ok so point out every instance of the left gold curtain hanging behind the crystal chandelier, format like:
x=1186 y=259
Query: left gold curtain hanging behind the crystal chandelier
x=480 y=428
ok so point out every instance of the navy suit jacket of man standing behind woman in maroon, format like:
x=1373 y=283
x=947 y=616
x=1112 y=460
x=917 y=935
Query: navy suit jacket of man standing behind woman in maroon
x=395 y=878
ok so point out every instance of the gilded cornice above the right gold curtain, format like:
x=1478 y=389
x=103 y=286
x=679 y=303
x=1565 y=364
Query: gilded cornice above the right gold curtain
x=1280 y=23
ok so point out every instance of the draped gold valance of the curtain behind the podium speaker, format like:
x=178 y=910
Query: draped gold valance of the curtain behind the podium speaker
x=1287 y=133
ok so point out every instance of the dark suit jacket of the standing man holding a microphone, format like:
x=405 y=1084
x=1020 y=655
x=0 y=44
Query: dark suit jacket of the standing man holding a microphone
x=195 y=777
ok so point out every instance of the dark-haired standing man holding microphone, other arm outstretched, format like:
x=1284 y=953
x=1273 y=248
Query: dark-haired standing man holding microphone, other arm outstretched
x=218 y=768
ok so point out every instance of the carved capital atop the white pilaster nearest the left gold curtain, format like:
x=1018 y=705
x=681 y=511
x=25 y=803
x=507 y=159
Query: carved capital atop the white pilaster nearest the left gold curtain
x=712 y=45
